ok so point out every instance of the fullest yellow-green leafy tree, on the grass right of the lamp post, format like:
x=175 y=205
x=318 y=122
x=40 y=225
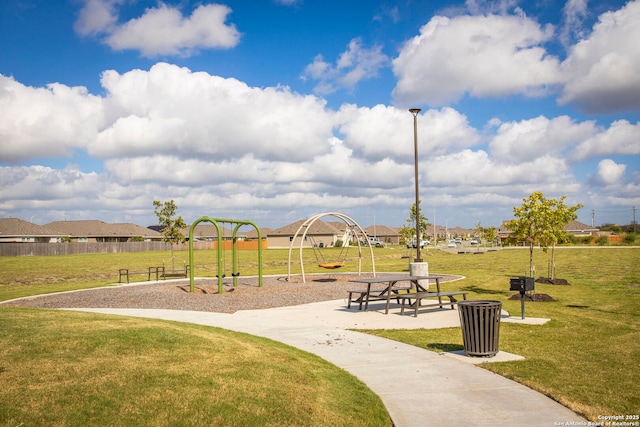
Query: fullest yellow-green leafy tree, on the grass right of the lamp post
x=543 y=221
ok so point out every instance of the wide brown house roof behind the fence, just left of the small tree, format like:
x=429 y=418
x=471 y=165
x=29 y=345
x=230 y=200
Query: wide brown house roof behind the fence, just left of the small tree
x=96 y=228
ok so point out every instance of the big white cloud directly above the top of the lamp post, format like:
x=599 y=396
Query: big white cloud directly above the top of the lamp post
x=483 y=56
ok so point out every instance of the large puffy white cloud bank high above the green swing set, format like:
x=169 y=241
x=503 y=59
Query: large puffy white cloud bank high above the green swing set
x=171 y=110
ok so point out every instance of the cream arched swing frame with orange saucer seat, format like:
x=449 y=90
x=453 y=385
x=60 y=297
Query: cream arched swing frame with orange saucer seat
x=353 y=230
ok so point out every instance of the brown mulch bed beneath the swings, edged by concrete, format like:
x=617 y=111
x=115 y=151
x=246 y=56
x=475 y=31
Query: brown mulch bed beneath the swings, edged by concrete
x=276 y=291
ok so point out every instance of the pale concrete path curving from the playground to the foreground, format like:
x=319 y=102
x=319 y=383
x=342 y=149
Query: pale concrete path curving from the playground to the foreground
x=418 y=387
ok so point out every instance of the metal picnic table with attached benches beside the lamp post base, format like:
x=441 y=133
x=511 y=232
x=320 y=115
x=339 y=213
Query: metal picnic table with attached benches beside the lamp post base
x=414 y=291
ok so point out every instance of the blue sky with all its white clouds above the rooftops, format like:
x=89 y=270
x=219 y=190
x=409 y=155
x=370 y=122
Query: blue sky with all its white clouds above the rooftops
x=274 y=111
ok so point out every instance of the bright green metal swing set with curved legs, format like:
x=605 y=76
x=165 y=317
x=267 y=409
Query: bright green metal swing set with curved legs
x=234 y=255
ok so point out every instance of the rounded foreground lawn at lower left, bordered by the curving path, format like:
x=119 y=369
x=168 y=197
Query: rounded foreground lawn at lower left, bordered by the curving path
x=79 y=369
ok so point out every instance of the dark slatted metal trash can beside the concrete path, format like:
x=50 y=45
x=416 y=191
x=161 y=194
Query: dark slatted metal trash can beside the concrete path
x=480 y=323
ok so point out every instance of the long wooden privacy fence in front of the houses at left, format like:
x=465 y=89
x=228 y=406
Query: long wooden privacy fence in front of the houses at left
x=44 y=249
